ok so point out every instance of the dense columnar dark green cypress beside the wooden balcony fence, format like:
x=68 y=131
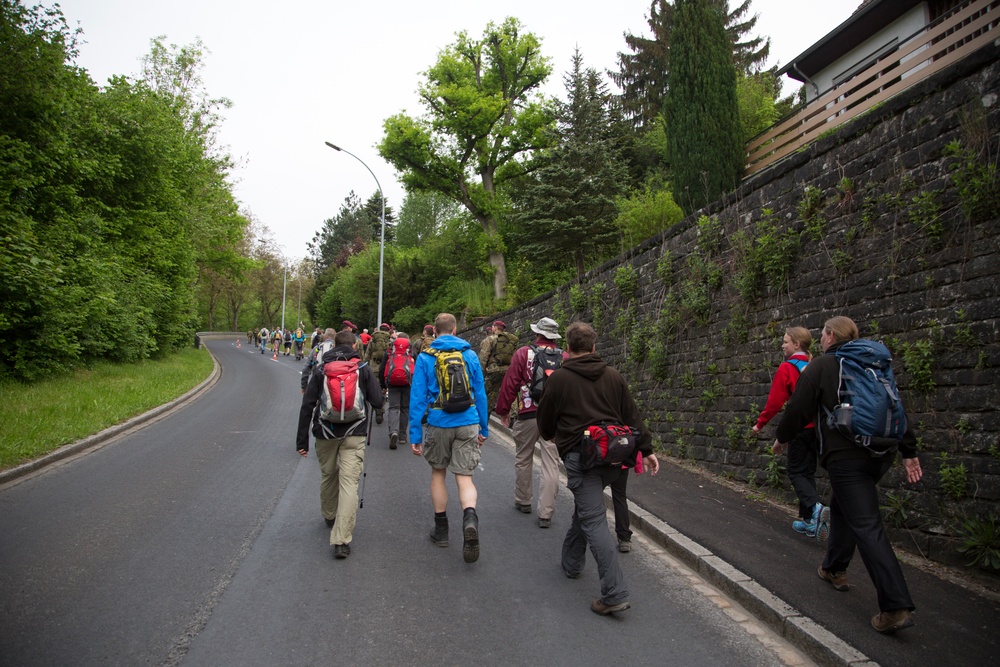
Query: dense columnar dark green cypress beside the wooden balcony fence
x=704 y=138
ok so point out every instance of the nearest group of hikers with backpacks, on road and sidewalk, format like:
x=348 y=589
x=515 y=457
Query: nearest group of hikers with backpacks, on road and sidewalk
x=578 y=410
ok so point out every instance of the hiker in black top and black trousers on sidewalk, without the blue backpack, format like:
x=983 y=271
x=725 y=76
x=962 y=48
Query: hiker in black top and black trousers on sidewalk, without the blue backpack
x=855 y=520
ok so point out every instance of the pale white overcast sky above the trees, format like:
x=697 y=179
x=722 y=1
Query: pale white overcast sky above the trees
x=306 y=72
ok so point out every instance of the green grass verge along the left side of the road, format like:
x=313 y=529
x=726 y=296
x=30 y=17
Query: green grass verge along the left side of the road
x=37 y=418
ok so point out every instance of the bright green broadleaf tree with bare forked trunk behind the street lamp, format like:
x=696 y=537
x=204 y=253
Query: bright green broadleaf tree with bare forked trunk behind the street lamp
x=484 y=118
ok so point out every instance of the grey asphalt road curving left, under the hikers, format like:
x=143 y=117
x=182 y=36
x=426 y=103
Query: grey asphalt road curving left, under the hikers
x=198 y=540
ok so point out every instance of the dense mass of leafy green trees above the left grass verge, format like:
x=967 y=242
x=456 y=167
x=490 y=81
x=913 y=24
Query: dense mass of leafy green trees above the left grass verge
x=111 y=206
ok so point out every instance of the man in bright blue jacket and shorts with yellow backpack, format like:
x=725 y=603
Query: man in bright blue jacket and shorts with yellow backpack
x=457 y=425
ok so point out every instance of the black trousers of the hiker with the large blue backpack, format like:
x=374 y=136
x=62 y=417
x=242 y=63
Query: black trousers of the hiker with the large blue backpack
x=855 y=521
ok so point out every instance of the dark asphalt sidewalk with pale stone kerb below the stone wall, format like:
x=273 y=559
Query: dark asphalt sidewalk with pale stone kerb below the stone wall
x=745 y=546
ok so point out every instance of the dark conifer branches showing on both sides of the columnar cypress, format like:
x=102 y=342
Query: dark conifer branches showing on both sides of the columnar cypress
x=642 y=74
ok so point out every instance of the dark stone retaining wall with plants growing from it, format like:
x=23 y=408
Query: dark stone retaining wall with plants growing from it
x=875 y=228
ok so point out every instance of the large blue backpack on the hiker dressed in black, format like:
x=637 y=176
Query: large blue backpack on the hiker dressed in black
x=868 y=410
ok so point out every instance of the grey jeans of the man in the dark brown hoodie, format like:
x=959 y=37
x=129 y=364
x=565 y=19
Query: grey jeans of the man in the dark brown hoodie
x=589 y=525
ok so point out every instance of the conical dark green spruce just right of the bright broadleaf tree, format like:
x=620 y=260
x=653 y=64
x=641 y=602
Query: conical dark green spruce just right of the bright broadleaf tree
x=568 y=207
